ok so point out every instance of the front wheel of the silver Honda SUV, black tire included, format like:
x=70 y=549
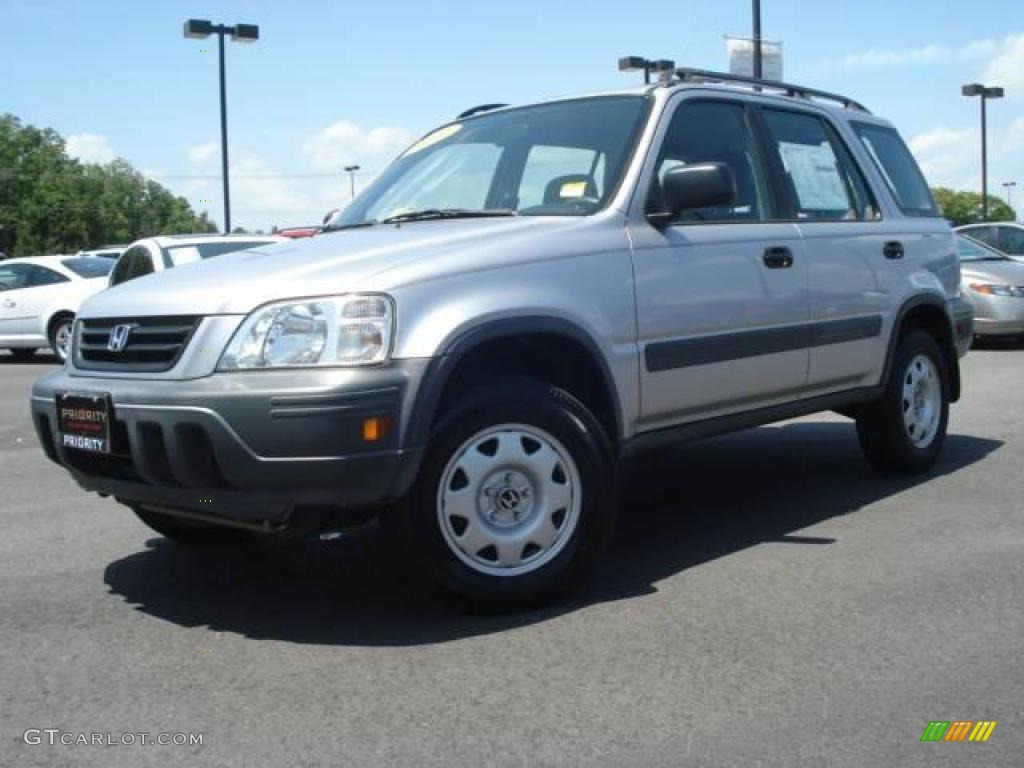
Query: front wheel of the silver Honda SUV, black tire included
x=517 y=495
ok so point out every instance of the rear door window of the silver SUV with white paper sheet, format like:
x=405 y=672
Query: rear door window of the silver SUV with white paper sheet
x=823 y=181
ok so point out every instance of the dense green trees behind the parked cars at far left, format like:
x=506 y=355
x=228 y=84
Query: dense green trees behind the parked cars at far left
x=51 y=203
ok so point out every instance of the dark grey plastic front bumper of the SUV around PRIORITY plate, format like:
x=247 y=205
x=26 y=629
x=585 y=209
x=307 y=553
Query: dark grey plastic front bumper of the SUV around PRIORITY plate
x=254 y=447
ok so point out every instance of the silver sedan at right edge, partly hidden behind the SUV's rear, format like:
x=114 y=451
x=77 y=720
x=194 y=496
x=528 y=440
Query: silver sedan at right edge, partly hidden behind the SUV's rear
x=994 y=284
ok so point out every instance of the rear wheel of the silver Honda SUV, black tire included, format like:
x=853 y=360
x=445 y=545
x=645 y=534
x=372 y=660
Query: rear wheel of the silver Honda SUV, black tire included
x=904 y=433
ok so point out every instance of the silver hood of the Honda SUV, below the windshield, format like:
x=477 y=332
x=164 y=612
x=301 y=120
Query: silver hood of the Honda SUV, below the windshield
x=329 y=264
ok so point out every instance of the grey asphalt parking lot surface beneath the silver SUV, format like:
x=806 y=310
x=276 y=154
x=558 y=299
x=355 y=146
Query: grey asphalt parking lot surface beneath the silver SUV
x=770 y=602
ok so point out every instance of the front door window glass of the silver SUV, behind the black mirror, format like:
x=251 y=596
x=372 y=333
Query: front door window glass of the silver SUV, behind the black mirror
x=715 y=133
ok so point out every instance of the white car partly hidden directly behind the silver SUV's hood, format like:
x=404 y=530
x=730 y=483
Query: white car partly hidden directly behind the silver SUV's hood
x=156 y=254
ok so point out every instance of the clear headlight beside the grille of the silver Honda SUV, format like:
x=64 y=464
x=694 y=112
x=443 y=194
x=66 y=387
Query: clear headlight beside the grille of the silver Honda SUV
x=352 y=330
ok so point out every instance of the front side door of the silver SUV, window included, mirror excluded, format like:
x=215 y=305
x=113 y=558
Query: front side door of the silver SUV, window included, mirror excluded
x=721 y=292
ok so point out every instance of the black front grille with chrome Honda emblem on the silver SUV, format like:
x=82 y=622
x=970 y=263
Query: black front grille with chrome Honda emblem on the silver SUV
x=152 y=345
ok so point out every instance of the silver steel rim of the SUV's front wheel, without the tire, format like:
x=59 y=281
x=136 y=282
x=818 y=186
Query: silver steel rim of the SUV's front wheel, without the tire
x=509 y=500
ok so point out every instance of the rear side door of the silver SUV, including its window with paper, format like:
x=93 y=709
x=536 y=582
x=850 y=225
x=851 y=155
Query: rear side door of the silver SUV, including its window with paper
x=849 y=277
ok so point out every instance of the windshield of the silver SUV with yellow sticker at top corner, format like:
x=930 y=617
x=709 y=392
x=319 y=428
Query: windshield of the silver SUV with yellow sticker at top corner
x=561 y=159
